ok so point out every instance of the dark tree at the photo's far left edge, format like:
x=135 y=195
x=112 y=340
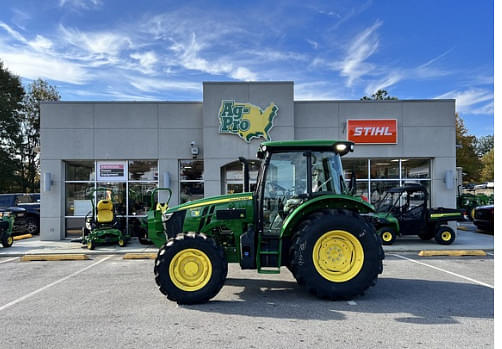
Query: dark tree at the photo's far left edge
x=11 y=96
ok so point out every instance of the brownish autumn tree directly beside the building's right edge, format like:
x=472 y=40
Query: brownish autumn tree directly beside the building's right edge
x=466 y=152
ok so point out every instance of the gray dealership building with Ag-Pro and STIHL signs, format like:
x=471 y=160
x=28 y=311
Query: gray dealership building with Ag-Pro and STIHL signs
x=193 y=147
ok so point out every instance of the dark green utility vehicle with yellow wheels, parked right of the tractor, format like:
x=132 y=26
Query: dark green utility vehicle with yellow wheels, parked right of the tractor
x=403 y=211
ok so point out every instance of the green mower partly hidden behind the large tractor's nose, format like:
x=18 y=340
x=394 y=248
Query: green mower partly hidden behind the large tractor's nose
x=152 y=224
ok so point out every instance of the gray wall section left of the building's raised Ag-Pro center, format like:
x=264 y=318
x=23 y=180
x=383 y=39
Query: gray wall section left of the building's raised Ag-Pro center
x=111 y=131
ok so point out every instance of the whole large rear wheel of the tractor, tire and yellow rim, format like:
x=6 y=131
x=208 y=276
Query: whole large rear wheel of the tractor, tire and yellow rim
x=336 y=254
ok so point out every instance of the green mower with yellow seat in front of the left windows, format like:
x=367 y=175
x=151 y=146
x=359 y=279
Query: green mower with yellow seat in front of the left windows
x=101 y=224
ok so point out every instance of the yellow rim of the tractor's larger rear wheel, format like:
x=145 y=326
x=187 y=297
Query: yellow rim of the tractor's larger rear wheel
x=338 y=256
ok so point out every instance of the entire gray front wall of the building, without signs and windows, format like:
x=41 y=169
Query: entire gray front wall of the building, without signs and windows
x=164 y=130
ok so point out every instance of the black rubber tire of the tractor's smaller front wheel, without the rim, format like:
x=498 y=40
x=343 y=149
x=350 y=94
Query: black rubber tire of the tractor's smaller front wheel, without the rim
x=215 y=280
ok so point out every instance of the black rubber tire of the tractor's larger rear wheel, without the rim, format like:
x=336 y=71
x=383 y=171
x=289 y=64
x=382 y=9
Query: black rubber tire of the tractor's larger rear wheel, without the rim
x=314 y=228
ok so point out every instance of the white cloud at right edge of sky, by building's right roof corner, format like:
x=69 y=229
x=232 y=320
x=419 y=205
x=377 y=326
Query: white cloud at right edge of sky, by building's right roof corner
x=471 y=100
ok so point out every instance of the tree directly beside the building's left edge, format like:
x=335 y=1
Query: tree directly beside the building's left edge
x=29 y=145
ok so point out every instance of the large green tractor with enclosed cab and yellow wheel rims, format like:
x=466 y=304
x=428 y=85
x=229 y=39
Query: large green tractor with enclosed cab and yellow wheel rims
x=301 y=216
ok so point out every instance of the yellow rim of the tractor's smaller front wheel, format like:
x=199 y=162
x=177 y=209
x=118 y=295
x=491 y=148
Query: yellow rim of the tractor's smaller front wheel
x=190 y=270
